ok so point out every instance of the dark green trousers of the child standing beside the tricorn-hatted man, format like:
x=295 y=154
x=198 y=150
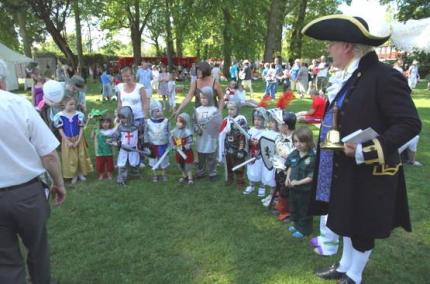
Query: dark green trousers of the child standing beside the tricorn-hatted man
x=299 y=203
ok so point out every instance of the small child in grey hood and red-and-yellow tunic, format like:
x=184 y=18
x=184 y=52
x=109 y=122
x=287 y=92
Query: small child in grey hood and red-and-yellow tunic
x=182 y=140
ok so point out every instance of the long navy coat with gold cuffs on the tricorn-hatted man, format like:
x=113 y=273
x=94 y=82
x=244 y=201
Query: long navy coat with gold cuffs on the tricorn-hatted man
x=369 y=200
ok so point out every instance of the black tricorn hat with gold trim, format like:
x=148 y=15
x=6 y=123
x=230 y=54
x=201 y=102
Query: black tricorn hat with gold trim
x=343 y=28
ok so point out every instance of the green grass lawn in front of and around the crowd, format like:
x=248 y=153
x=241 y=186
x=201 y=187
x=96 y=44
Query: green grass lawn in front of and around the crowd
x=208 y=233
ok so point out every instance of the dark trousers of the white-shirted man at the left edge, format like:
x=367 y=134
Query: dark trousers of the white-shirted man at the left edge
x=24 y=212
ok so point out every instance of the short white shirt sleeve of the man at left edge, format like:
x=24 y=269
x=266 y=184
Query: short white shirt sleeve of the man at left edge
x=41 y=137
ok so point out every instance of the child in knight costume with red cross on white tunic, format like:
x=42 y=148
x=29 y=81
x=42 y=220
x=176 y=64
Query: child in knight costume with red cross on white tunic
x=126 y=138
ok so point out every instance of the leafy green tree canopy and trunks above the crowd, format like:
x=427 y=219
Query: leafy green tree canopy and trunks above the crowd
x=258 y=30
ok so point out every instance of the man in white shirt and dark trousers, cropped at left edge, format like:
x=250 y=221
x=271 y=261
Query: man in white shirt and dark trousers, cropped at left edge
x=28 y=150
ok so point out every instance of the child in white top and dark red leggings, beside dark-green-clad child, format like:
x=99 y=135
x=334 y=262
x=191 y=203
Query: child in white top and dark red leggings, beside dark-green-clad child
x=283 y=147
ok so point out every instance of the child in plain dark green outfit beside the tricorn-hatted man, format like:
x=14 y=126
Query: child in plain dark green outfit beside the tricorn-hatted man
x=300 y=164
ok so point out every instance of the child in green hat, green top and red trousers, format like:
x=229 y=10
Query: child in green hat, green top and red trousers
x=103 y=150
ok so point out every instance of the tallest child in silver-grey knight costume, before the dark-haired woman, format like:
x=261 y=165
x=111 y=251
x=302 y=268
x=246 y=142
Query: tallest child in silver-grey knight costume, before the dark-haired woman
x=206 y=123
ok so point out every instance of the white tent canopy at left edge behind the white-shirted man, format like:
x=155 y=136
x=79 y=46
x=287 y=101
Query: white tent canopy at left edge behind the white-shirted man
x=12 y=59
